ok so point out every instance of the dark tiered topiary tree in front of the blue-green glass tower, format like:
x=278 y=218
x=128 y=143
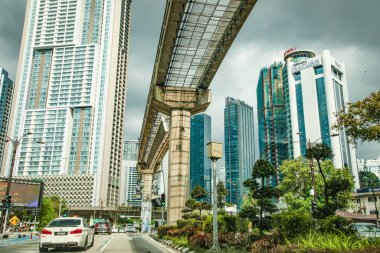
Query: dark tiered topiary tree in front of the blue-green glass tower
x=262 y=193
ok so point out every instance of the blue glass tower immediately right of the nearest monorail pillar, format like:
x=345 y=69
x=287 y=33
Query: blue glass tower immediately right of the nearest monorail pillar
x=200 y=164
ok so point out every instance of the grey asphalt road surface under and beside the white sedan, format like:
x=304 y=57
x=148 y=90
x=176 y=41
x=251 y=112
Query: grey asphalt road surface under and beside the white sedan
x=115 y=243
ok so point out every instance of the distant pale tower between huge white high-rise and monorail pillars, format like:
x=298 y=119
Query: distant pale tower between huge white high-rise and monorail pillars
x=129 y=176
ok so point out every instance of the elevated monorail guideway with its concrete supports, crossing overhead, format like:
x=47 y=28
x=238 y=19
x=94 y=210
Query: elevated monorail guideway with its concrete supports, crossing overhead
x=195 y=37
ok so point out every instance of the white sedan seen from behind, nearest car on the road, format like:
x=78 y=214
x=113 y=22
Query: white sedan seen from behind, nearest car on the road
x=69 y=232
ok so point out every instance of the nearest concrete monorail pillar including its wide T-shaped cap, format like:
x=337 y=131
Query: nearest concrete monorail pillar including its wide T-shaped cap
x=179 y=103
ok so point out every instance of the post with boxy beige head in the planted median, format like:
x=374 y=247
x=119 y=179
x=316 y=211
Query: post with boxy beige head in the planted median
x=214 y=152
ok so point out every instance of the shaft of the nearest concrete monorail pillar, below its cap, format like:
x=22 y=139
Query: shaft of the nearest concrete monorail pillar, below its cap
x=179 y=167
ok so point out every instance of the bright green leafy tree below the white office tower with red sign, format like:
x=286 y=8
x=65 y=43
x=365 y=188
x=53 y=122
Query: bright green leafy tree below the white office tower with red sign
x=296 y=184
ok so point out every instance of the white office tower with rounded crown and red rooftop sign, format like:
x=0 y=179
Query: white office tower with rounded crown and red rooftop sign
x=315 y=89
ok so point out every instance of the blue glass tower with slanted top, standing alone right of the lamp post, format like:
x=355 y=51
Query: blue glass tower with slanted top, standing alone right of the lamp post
x=239 y=147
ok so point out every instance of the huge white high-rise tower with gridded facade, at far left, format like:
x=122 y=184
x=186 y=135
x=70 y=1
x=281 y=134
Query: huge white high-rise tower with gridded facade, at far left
x=70 y=92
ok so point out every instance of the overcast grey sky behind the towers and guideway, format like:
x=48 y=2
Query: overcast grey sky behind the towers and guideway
x=348 y=28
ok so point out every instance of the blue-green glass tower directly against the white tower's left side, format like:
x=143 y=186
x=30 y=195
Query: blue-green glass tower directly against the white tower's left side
x=273 y=141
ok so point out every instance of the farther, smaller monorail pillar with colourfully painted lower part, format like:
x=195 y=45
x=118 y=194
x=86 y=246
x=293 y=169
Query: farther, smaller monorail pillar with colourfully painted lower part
x=146 y=203
